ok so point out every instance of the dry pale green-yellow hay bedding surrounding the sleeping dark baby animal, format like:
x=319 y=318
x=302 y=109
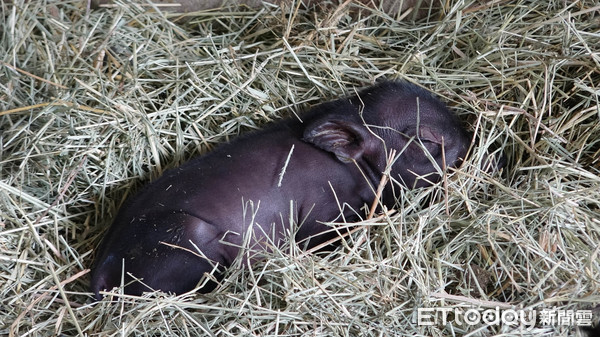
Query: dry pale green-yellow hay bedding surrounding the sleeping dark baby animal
x=95 y=103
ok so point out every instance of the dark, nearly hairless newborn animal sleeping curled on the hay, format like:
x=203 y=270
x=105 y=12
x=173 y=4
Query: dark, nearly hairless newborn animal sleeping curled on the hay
x=197 y=216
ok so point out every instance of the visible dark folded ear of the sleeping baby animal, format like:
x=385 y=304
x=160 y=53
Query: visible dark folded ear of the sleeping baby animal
x=345 y=139
